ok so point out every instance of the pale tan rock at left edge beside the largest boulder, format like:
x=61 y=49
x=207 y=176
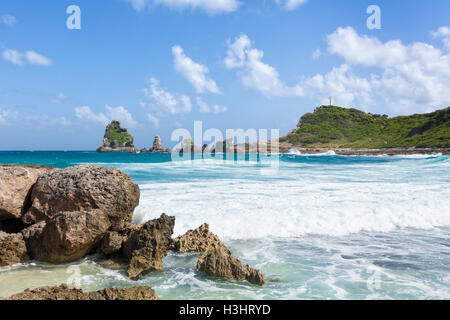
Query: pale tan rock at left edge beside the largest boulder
x=16 y=182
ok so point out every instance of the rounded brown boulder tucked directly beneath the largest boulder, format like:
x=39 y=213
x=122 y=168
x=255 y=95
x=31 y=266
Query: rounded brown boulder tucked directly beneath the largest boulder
x=67 y=236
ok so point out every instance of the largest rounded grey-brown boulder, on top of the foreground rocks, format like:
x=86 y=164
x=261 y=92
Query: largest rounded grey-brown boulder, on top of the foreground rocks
x=84 y=187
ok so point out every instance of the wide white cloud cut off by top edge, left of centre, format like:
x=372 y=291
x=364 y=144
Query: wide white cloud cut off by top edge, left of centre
x=210 y=6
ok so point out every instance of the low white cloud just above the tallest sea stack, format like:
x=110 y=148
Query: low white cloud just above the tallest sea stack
x=119 y=113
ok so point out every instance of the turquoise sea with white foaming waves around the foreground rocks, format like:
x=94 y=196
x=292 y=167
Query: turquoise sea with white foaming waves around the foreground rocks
x=319 y=227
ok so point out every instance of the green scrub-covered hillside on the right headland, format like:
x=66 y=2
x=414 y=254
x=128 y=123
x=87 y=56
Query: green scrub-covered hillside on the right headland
x=336 y=127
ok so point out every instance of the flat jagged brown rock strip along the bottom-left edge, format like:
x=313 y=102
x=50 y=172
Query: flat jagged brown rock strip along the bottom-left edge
x=63 y=292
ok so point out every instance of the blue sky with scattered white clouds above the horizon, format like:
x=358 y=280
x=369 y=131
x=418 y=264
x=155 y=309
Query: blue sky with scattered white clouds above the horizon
x=159 y=65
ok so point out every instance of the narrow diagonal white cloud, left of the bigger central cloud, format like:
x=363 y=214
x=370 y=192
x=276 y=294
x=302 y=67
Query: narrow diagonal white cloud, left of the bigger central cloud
x=194 y=72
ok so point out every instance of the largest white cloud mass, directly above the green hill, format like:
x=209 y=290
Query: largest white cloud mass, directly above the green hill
x=404 y=78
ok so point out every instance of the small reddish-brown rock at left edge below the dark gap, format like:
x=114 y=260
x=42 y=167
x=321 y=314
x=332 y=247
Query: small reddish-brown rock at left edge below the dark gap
x=12 y=249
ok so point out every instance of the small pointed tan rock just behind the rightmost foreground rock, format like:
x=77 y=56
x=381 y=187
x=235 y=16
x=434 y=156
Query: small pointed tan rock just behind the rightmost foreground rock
x=198 y=240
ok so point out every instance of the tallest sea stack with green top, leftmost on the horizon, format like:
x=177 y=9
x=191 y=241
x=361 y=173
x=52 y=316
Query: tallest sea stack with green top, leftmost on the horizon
x=117 y=139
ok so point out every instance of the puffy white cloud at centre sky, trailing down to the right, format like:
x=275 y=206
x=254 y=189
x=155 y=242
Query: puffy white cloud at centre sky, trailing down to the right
x=255 y=73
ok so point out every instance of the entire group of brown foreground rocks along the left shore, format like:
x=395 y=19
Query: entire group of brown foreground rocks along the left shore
x=62 y=215
